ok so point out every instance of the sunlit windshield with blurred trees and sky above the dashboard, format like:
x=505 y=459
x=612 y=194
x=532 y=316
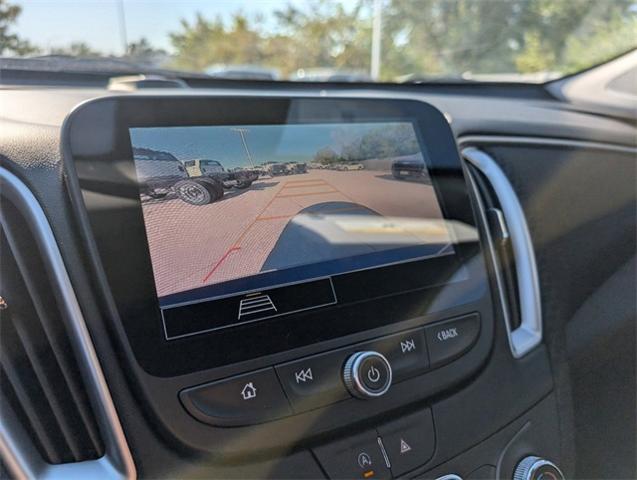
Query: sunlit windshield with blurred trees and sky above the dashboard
x=325 y=40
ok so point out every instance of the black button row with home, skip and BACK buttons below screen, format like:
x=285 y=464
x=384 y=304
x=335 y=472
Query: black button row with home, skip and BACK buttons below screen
x=317 y=381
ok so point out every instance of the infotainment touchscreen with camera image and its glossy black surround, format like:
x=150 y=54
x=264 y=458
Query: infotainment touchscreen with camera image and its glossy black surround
x=234 y=227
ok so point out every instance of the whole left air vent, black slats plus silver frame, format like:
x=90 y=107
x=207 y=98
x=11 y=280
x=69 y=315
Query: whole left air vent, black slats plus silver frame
x=57 y=419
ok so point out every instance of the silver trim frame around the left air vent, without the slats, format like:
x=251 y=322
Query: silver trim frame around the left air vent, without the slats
x=17 y=451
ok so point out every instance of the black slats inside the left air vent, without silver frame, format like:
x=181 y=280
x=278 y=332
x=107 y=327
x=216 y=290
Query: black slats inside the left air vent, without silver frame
x=39 y=376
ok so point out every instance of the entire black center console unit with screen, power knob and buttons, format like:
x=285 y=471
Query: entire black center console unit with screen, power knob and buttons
x=291 y=274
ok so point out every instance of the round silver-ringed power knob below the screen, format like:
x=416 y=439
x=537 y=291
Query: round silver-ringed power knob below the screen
x=367 y=374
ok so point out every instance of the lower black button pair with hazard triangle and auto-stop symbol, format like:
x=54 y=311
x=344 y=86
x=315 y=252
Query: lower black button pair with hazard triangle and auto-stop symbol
x=392 y=449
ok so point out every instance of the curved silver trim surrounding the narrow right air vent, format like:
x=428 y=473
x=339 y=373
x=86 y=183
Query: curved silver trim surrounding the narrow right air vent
x=529 y=334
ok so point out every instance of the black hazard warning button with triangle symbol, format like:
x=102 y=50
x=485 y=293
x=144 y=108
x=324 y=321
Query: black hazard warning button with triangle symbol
x=409 y=441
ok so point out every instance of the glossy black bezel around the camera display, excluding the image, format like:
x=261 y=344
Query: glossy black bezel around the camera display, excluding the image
x=120 y=233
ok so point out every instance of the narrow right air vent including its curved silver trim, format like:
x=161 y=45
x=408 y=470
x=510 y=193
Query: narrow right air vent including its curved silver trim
x=510 y=250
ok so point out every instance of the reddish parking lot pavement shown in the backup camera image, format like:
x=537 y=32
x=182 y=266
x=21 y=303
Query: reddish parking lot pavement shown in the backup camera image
x=192 y=246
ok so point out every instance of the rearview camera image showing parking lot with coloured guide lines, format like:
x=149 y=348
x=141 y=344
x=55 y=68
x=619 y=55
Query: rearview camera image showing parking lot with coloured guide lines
x=232 y=208
